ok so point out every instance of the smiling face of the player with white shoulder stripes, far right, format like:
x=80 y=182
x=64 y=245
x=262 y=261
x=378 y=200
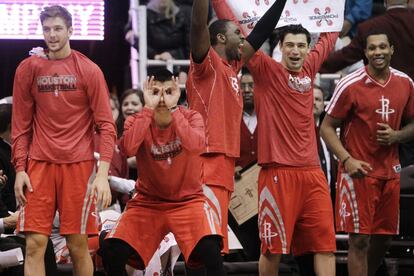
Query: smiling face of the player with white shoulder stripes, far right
x=378 y=52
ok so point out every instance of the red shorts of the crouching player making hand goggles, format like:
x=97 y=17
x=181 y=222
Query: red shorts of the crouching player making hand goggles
x=145 y=223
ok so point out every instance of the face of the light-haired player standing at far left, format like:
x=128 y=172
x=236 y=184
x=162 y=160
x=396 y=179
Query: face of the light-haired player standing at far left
x=56 y=35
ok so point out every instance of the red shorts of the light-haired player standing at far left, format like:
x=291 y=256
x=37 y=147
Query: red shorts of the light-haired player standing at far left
x=65 y=187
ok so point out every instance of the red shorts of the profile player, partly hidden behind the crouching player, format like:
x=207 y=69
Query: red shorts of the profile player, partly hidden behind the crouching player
x=218 y=199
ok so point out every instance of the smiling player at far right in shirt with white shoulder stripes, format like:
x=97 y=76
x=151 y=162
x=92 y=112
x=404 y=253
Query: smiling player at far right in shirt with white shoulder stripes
x=369 y=106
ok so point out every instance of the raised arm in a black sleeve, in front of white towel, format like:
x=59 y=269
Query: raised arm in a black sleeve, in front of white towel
x=263 y=29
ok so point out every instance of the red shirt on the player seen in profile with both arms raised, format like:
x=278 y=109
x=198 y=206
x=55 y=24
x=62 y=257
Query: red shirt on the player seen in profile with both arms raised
x=213 y=90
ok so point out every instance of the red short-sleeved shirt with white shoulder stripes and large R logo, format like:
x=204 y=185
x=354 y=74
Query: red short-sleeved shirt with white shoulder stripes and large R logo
x=362 y=102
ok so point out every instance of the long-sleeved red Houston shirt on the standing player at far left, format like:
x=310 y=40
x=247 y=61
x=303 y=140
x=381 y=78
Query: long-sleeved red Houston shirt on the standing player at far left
x=57 y=106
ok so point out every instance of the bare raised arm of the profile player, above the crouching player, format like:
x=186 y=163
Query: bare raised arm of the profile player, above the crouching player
x=199 y=35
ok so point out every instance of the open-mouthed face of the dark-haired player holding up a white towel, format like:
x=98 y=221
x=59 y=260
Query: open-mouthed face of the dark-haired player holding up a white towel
x=294 y=49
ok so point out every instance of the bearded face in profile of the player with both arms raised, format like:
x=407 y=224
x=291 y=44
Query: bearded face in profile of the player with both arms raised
x=233 y=41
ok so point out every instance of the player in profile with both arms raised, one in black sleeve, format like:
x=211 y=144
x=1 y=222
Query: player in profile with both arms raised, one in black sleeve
x=213 y=90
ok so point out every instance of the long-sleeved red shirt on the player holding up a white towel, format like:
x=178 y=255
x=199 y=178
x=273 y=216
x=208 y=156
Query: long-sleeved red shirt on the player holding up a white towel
x=284 y=106
